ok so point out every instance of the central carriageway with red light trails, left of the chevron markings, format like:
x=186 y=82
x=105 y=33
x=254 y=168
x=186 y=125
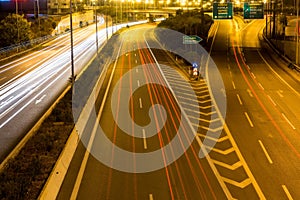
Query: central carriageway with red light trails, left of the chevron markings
x=188 y=177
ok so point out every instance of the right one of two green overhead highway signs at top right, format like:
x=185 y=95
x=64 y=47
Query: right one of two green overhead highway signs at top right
x=253 y=10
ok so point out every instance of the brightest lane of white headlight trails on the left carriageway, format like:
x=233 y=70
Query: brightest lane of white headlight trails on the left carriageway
x=22 y=88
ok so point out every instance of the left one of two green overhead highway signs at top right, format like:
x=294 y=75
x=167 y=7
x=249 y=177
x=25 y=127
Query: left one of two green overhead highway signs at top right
x=222 y=10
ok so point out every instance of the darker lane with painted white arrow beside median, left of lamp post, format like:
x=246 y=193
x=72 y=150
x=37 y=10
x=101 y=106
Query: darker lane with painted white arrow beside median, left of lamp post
x=26 y=113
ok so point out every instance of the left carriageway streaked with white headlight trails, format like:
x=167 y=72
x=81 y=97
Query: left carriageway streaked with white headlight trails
x=31 y=83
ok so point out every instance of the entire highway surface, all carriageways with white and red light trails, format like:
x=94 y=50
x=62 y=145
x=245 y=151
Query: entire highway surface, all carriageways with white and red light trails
x=145 y=130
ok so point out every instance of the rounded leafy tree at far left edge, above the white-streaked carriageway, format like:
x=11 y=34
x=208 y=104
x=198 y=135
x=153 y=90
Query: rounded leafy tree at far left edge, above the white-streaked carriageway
x=14 y=29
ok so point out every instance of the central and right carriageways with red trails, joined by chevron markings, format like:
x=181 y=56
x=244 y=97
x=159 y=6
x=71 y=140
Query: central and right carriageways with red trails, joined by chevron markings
x=256 y=156
